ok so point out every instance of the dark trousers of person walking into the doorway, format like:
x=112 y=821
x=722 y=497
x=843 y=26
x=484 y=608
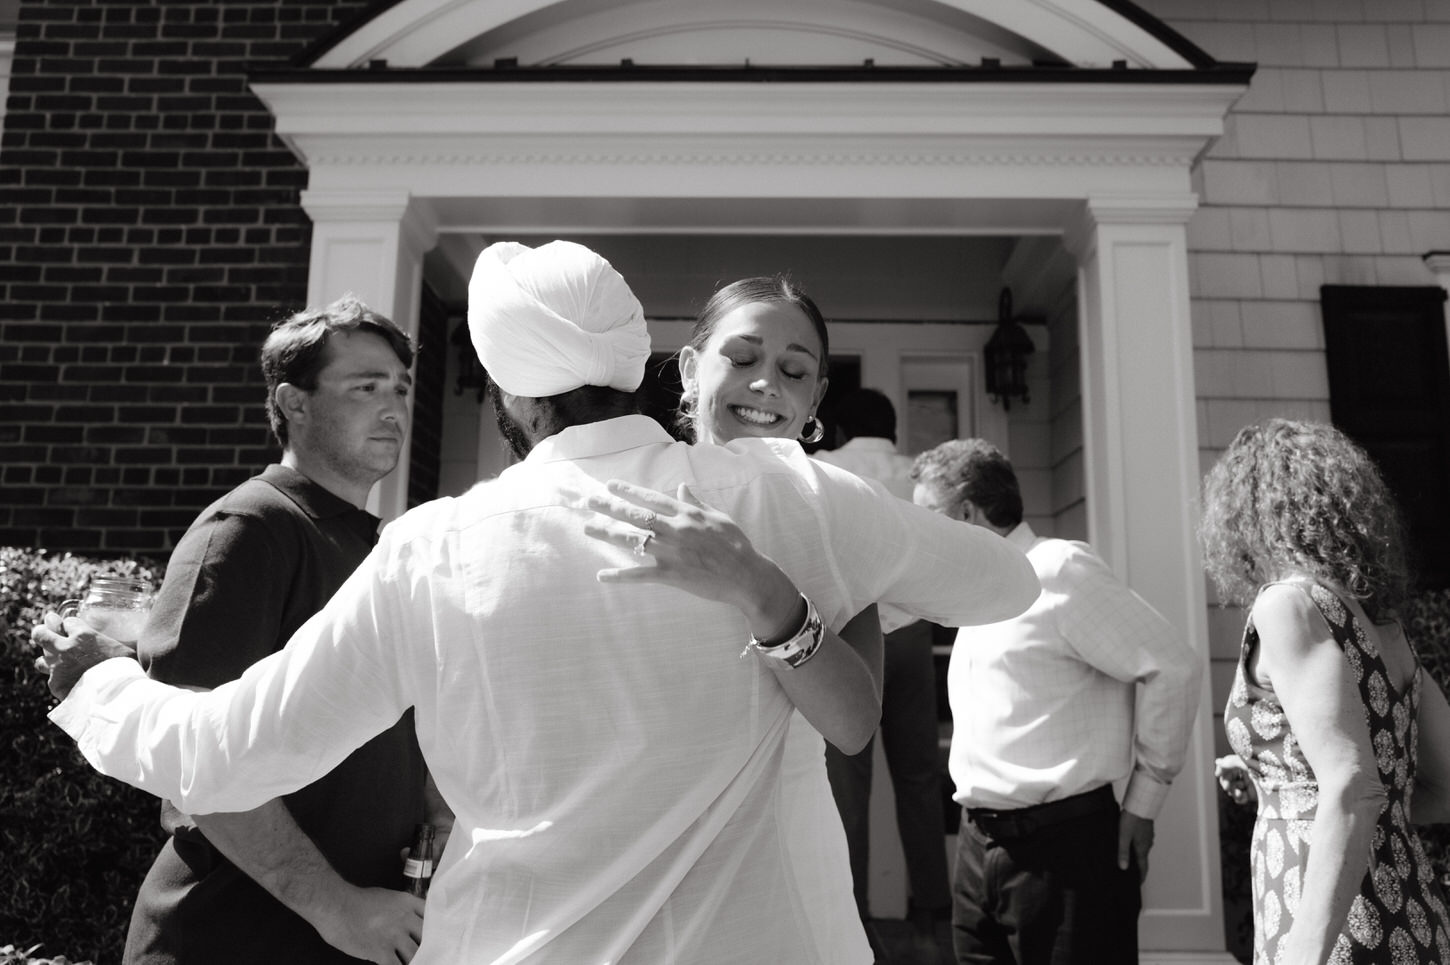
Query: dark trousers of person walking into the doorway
x=910 y=743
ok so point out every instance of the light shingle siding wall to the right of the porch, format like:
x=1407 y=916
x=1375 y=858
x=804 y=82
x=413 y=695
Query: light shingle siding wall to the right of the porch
x=1335 y=170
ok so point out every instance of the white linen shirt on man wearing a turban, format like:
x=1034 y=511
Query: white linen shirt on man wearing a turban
x=611 y=759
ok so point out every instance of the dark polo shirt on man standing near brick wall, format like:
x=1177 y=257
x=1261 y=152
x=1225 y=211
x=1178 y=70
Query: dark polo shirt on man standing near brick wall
x=253 y=569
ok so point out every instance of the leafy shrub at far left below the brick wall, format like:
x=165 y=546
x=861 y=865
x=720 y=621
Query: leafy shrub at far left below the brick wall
x=76 y=844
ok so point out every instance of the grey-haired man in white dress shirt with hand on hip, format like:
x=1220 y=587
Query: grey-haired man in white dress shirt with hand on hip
x=1051 y=709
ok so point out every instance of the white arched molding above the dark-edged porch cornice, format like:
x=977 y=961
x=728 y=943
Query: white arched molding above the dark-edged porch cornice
x=1078 y=33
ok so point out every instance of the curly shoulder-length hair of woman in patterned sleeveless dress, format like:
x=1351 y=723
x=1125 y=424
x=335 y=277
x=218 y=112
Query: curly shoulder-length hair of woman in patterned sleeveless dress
x=1301 y=496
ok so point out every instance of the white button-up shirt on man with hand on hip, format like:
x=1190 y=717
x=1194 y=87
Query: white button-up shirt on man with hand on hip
x=1091 y=686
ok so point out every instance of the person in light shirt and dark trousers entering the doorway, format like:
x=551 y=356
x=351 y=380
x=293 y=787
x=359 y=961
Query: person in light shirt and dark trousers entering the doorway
x=868 y=422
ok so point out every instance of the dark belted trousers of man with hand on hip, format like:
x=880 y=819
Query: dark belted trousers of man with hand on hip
x=1033 y=887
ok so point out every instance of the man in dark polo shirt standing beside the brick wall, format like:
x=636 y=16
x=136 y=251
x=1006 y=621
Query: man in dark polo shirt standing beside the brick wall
x=312 y=877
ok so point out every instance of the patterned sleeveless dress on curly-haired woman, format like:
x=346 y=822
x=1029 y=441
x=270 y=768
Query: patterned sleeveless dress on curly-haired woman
x=1399 y=916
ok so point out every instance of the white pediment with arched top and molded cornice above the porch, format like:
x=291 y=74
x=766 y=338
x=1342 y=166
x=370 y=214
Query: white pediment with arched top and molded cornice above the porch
x=959 y=150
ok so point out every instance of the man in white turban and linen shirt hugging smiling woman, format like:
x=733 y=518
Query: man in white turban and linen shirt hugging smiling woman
x=601 y=674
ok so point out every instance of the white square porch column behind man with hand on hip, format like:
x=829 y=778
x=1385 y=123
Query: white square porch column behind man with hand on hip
x=1142 y=466
